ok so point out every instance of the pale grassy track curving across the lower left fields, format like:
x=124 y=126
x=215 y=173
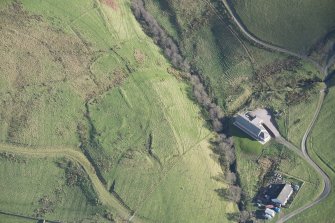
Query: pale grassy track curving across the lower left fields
x=104 y=195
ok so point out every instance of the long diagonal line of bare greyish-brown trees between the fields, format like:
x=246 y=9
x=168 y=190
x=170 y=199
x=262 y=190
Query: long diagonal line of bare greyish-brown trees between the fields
x=223 y=145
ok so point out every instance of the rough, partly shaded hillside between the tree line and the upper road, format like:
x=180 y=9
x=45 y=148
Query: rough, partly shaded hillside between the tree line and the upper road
x=236 y=73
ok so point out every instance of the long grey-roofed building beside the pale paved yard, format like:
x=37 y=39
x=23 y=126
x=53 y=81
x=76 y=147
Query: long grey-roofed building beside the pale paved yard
x=253 y=126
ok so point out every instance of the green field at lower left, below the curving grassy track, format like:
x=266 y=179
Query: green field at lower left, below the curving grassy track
x=28 y=189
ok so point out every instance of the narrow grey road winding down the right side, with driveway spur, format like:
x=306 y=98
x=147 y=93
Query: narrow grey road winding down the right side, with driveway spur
x=303 y=152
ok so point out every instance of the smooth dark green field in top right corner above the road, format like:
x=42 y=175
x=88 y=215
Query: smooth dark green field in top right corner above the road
x=297 y=25
